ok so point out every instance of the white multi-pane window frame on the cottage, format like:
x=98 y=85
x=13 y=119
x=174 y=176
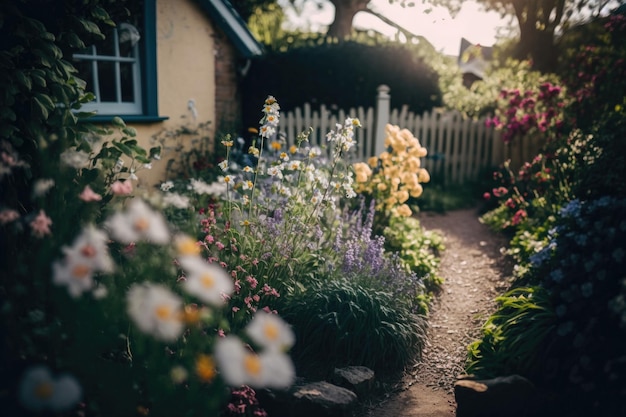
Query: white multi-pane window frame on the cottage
x=118 y=107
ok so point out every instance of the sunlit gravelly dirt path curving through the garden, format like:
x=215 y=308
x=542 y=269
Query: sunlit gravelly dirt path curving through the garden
x=474 y=273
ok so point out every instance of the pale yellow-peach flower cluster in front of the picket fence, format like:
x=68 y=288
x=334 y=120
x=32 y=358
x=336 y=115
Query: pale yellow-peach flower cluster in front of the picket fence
x=395 y=176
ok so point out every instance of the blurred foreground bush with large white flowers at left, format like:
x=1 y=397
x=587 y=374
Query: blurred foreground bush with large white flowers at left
x=99 y=290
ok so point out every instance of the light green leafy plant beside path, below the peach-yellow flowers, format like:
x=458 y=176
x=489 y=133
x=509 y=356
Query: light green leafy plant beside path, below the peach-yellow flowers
x=419 y=249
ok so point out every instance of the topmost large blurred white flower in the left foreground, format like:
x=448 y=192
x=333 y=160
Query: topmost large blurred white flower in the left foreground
x=139 y=222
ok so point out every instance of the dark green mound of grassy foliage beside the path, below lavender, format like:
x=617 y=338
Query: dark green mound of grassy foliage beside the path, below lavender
x=340 y=322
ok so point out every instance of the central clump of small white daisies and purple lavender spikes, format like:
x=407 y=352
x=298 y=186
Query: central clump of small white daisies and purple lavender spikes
x=281 y=224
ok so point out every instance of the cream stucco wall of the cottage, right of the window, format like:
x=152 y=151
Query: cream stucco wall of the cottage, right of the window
x=186 y=61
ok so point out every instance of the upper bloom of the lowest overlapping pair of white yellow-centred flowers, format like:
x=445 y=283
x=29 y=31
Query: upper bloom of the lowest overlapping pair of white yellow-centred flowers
x=270 y=332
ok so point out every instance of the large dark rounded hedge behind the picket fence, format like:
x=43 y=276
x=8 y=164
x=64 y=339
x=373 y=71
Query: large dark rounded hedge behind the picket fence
x=353 y=65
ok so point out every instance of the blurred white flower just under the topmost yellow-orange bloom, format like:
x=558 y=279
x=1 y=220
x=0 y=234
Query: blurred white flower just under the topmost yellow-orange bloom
x=206 y=281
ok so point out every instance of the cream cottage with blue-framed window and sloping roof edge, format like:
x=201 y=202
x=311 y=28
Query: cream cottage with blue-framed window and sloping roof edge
x=176 y=62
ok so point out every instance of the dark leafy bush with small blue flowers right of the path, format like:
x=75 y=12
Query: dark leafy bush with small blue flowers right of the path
x=580 y=317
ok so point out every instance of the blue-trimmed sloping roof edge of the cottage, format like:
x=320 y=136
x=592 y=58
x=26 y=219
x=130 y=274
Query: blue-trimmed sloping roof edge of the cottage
x=227 y=18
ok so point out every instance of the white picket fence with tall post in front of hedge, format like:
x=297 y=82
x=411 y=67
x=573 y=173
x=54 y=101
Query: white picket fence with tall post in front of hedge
x=459 y=148
